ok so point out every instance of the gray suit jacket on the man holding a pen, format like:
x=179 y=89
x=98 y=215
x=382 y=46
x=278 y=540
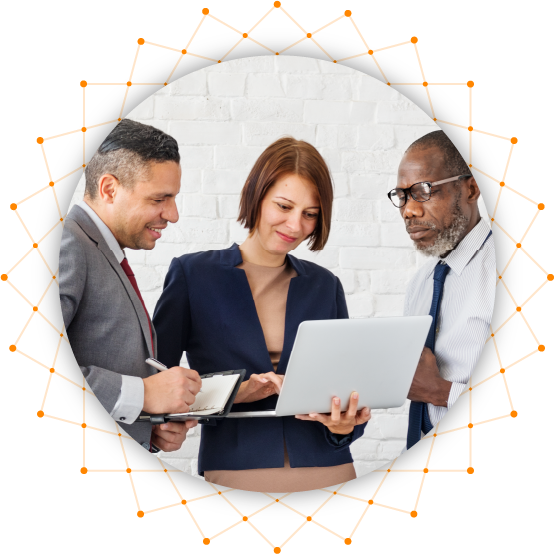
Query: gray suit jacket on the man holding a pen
x=104 y=319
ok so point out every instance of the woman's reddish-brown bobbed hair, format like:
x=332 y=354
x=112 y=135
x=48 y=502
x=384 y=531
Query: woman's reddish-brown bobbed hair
x=288 y=156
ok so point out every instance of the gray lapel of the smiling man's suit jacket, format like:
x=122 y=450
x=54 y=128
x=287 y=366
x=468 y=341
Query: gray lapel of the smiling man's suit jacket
x=92 y=231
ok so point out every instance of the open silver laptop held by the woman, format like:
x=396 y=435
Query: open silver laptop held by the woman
x=375 y=357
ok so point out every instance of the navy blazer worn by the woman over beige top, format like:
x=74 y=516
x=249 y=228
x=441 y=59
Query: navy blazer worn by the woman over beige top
x=207 y=310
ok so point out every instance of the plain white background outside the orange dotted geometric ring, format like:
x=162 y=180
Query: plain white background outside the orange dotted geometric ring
x=47 y=49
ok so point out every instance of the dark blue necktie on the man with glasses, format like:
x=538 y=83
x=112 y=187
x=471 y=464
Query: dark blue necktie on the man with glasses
x=419 y=414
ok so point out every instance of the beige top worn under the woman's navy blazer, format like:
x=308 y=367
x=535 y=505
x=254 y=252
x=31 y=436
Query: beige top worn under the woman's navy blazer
x=270 y=286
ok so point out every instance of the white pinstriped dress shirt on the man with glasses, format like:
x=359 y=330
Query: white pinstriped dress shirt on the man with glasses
x=465 y=312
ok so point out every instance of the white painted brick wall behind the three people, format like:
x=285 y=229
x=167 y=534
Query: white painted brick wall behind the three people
x=223 y=117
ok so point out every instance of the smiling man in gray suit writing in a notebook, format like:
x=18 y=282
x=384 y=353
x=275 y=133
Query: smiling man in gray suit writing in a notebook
x=131 y=184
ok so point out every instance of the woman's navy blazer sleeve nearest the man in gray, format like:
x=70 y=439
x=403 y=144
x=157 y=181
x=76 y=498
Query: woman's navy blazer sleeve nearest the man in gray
x=172 y=319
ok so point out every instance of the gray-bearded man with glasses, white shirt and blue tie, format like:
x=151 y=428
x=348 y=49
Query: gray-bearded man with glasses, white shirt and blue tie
x=437 y=197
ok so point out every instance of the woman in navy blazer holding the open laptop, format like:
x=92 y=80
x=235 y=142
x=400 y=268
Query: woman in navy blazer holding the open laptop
x=207 y=310
